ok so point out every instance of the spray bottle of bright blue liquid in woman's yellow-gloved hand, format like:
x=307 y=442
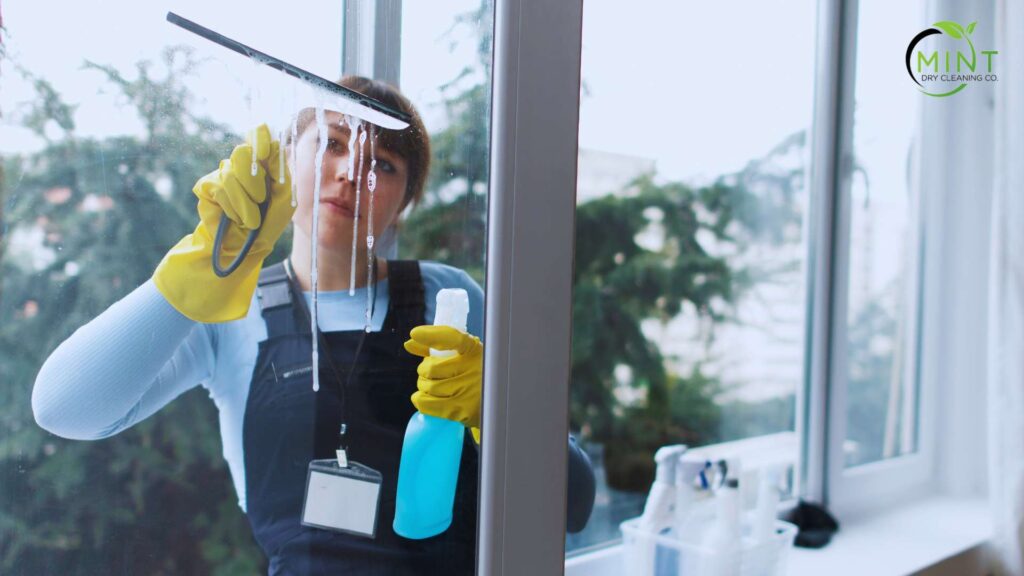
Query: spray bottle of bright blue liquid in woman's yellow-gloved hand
x=433 y=449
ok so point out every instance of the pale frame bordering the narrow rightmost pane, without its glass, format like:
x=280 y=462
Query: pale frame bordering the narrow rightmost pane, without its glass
x=862 y=490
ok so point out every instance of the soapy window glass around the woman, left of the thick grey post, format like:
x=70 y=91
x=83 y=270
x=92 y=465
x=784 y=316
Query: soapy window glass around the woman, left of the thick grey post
x=99 y=166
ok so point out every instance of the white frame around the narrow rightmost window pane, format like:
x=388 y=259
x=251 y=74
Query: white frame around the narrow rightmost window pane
x=859 y=490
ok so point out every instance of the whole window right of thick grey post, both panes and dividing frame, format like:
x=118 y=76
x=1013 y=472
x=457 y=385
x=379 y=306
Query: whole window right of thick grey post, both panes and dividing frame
x=701 y=227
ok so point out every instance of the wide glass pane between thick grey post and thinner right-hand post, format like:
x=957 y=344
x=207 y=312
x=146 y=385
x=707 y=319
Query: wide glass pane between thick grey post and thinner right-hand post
x=690 y=286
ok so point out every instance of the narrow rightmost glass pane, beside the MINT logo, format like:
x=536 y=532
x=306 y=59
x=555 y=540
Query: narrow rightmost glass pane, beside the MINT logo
x=881 y=336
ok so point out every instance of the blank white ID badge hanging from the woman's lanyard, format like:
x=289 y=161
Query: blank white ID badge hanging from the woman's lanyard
x=343 y=500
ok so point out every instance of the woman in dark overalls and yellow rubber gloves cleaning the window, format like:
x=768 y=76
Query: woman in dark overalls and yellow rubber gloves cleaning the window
x=247 y=339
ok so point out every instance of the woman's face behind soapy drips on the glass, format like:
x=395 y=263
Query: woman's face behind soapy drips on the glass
x=337 y=200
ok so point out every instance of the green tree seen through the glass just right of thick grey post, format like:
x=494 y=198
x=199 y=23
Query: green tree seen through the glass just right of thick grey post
x=618 y=283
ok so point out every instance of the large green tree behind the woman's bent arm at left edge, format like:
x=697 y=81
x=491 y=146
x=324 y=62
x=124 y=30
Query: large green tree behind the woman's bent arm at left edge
x=156 y=500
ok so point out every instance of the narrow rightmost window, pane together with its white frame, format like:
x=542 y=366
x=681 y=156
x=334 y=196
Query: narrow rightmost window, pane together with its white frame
x=876 y=454
